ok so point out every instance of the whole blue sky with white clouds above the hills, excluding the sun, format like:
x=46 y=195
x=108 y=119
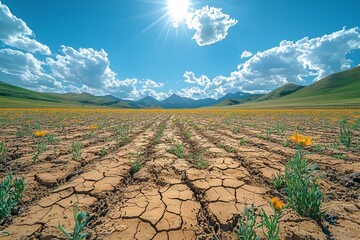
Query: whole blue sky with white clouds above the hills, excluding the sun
x=132 y=49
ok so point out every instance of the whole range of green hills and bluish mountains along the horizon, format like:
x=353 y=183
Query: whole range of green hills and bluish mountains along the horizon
x=338 y=89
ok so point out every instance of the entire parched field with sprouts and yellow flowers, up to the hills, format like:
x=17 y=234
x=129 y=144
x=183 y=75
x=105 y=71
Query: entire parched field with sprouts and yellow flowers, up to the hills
x=176 y=174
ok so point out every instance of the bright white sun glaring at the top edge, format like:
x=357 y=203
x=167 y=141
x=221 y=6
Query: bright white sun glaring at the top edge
x=178 y=9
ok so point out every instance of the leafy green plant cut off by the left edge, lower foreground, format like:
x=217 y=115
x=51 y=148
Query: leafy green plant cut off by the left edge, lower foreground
x=11 y=192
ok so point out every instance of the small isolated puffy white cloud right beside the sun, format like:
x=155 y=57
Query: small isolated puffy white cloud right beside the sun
x=211 y=25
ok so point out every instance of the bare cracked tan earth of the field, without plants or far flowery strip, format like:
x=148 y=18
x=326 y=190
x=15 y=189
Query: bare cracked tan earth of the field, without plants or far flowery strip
x=170 y=197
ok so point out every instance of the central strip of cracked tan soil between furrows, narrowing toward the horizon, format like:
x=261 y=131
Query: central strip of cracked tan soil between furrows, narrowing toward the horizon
x=156 y=204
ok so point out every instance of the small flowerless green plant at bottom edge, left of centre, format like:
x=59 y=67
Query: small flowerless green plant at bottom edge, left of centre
x=81 y=220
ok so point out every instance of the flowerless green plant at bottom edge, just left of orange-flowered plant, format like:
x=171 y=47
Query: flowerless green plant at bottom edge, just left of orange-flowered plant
x=247 y=225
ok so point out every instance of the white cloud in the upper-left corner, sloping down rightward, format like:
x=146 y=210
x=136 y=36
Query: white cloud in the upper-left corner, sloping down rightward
x=15 y=33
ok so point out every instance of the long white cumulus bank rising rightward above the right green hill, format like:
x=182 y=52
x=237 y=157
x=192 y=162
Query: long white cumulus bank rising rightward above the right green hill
x=300 y=62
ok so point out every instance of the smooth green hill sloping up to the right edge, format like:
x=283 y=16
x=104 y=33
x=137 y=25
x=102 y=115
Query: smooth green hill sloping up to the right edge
x=337 y=90
